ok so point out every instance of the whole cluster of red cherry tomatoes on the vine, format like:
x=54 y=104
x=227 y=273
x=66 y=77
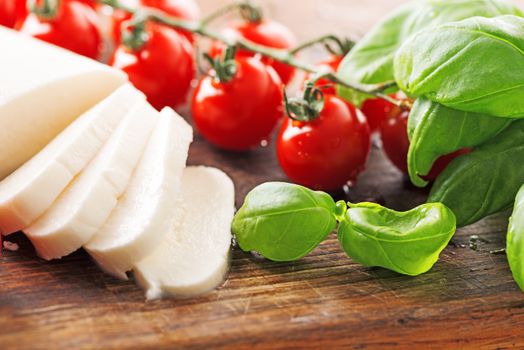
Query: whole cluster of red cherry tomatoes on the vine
x=238 y=113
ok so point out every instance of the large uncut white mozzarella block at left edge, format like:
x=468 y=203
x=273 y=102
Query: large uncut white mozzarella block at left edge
x=43 y=88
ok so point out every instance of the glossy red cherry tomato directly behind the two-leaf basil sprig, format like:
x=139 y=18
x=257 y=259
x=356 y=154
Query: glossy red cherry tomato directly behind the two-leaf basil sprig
x=327 y=152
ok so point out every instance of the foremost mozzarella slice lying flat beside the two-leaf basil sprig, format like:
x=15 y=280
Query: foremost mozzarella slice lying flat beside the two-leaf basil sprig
x=194 y=256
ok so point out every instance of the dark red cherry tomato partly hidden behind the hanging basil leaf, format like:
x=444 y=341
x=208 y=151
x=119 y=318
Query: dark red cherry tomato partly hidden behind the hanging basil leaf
x=395 y=144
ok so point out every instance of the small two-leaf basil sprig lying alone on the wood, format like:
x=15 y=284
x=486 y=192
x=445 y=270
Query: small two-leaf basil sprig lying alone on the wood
x=284 y=222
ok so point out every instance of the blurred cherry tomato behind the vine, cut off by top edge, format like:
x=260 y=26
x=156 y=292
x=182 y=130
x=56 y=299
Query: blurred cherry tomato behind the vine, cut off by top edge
x=183 y=9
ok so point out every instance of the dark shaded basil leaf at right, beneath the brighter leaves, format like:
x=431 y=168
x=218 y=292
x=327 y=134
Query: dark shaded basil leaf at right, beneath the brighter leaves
x=485 y=181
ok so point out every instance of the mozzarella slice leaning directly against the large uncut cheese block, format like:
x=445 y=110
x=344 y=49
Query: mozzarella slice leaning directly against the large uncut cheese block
x=31 y=189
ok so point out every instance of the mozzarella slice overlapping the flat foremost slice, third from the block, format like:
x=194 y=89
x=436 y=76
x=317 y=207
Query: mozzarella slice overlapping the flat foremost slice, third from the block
x=145 y=212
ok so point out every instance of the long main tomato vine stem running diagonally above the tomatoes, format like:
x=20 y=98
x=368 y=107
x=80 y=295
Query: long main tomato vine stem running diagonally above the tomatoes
x=284 y=56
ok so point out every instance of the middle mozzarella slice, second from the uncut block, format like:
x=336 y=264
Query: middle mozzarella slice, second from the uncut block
x=81 y=210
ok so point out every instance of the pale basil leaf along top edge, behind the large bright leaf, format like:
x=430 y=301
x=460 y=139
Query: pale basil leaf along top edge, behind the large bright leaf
x=371 y=60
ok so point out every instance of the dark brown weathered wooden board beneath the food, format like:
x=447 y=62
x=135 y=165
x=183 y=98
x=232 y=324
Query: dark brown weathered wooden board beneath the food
x=468 y=300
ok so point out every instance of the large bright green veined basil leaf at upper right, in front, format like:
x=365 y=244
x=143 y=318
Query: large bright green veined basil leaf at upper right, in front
x=476 y=65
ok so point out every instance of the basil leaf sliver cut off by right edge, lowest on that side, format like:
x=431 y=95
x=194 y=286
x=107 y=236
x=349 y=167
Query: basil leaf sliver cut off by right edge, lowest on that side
x=515 y=240
